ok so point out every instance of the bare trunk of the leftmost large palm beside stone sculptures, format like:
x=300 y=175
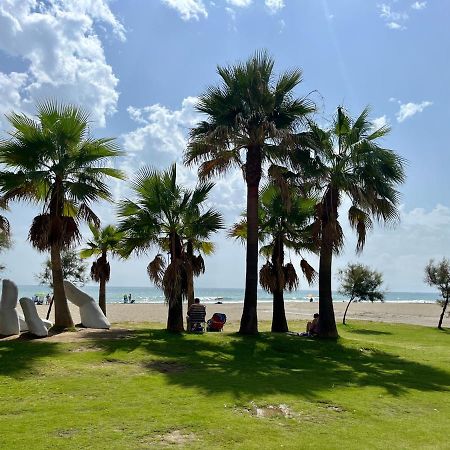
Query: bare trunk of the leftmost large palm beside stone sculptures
x=63 y=319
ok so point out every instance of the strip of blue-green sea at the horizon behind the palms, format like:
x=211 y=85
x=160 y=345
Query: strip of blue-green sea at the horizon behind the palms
x=116 y=294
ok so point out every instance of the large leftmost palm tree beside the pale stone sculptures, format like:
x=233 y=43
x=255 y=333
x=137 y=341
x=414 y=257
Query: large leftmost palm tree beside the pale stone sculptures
x=52 y=160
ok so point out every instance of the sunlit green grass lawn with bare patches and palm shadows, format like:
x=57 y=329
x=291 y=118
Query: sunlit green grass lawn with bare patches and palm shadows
x=379 y=386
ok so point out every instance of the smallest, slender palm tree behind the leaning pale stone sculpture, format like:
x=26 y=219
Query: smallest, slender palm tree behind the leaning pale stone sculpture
x=104 y=240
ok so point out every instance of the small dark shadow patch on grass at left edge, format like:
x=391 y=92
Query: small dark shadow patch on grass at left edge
x=18 y=357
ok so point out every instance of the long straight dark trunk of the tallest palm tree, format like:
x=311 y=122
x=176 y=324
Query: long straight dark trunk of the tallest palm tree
x=249 y=319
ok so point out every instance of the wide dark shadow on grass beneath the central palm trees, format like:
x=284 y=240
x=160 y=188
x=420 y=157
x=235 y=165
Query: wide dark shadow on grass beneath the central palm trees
x=268 y=363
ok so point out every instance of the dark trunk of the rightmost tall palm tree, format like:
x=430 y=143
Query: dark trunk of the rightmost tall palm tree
x=327 y=321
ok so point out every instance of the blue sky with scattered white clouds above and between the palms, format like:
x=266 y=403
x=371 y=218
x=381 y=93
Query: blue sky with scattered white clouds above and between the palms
x=138 y=66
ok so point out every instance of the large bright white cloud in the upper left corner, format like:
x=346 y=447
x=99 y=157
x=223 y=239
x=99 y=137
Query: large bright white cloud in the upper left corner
x=63 y=52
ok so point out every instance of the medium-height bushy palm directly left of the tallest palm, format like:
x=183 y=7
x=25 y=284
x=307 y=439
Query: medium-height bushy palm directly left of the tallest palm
x=169 y=217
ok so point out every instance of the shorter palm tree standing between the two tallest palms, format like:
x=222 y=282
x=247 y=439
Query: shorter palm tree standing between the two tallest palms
x=282 y=224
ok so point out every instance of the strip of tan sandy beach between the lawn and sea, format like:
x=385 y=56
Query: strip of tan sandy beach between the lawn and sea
x=411 y=313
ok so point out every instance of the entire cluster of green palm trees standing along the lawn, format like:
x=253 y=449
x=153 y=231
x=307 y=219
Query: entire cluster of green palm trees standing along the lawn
x=252 y=122
